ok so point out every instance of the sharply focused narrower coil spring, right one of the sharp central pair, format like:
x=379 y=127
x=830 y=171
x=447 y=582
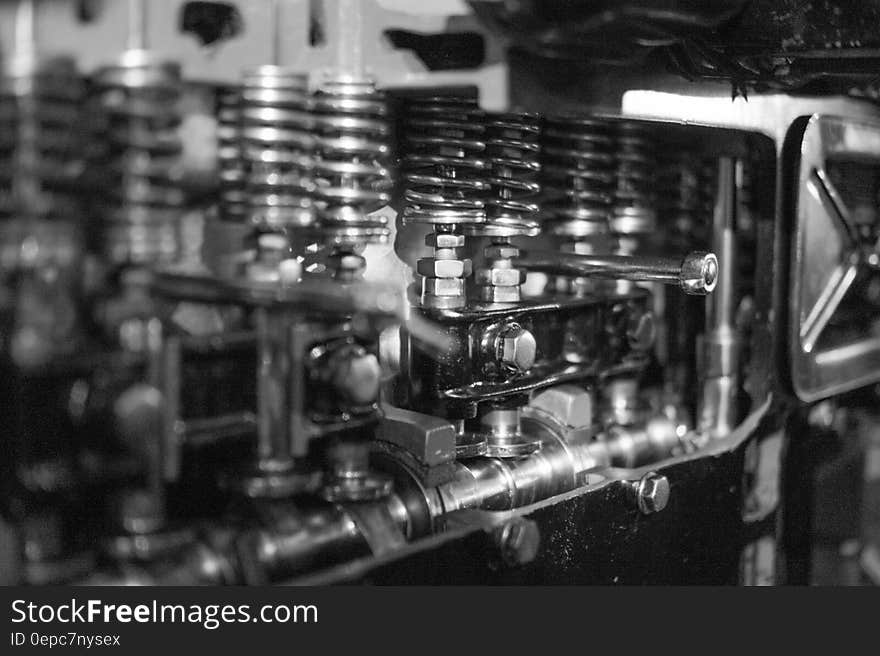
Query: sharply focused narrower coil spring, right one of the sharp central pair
x=512 y=152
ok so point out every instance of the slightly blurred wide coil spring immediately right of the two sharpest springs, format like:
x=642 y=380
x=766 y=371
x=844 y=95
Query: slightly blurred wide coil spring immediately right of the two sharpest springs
x=578 y=176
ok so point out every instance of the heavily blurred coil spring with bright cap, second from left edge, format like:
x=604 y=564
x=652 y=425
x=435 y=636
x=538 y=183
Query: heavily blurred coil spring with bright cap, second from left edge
x=136 y=159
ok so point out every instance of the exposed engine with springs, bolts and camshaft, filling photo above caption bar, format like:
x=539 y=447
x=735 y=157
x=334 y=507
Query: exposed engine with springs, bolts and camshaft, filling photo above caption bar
x=486 y=292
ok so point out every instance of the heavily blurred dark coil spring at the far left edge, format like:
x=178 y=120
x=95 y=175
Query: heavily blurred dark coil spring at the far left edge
x=40 y=144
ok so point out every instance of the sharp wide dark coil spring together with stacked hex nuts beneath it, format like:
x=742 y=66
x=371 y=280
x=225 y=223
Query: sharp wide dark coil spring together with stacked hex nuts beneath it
x=444 y=172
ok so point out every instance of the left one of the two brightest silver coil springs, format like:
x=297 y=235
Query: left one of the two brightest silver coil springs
x=276 y=149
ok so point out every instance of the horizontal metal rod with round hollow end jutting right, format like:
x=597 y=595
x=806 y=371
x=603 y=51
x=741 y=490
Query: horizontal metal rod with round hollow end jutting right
x=696 y=273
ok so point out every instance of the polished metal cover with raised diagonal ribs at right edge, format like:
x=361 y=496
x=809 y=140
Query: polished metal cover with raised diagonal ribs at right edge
x=829 y=256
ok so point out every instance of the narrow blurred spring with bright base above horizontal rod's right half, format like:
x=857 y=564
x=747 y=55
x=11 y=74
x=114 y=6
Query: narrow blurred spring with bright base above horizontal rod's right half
x=634 y=214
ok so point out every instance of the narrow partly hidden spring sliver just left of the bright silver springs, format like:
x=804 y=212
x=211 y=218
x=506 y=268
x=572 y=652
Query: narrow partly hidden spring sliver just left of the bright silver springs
x=233 y=205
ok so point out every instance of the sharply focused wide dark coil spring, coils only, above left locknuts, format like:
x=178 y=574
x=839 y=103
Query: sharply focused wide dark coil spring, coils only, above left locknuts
x=444 y=166
